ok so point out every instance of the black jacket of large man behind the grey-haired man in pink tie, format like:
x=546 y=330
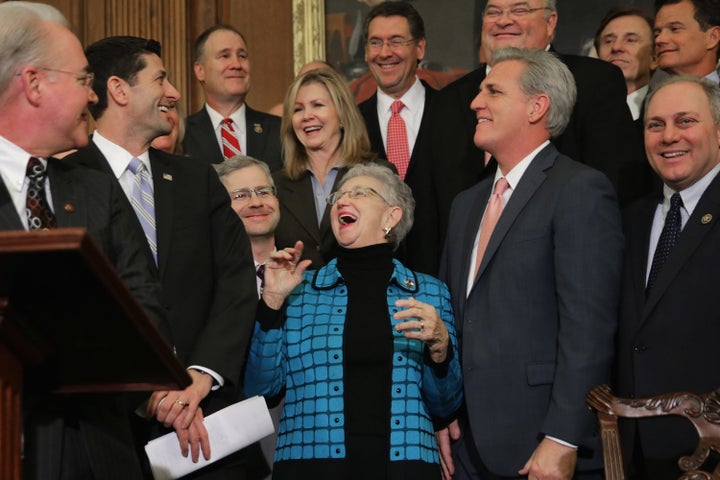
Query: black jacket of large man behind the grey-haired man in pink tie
x=600 y=132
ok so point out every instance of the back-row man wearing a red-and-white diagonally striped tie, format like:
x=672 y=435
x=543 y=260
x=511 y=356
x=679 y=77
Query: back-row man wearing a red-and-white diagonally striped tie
x=222 y=66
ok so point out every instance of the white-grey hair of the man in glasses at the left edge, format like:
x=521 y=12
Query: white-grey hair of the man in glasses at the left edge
x=23 y=39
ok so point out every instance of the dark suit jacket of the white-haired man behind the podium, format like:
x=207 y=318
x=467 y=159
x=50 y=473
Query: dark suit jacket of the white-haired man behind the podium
x=96 y=425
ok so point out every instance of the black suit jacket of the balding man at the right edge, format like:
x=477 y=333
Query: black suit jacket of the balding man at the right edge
x=669 y=341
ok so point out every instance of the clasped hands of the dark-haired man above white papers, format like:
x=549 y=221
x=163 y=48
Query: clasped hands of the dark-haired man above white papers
x=181 y=410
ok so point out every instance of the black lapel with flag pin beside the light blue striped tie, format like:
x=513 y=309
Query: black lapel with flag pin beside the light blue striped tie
x=163 y=173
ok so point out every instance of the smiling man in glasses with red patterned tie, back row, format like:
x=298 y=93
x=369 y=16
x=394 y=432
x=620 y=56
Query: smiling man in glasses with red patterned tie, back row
x=395 y=44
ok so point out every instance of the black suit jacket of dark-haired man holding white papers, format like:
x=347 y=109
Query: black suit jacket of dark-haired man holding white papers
x=205 y=264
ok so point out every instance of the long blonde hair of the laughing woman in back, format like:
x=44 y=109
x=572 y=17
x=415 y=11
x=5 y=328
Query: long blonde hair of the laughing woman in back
x=354 y=143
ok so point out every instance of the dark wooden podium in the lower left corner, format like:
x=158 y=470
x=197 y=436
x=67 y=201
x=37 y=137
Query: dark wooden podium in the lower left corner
x=68 y=324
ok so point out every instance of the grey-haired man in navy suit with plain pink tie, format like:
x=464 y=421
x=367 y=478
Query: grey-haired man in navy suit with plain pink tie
x=535 y=297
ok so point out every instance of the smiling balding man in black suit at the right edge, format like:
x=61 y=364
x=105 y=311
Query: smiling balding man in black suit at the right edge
x=669 y=319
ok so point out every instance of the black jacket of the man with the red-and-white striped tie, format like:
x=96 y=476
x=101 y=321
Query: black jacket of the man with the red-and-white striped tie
x=263 y=138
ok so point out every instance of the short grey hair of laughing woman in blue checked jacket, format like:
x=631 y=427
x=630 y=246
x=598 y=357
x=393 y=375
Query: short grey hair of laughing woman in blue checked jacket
x=395 y=192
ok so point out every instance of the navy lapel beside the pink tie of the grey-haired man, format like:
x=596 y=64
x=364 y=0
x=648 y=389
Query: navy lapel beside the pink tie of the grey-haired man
x=531 y=180
